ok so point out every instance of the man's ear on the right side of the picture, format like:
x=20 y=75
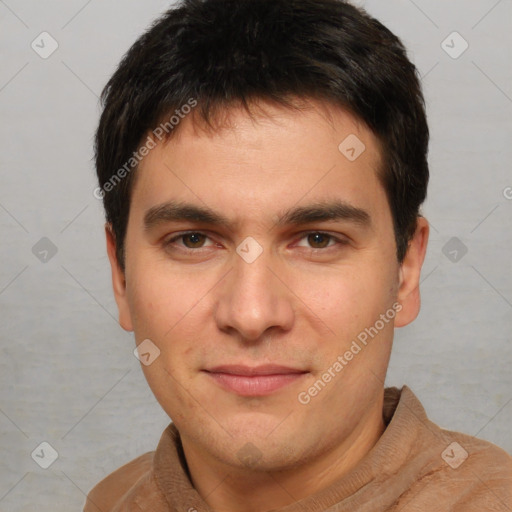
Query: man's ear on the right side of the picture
x=409 y=274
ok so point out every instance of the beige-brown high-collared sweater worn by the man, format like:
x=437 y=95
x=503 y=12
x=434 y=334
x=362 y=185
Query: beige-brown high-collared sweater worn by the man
x=415 y=466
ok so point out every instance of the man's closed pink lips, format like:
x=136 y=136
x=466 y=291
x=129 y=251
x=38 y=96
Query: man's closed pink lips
x=254 y=381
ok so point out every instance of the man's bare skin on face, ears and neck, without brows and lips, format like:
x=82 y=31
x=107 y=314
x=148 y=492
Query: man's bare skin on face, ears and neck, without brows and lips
x=299 y=304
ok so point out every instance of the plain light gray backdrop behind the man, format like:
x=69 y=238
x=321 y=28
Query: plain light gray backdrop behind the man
x=67 y=372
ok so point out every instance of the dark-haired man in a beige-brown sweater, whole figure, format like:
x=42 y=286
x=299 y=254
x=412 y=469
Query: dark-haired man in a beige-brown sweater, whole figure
x=262 y=166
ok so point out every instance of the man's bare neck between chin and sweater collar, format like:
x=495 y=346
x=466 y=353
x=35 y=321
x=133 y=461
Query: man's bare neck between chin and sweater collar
x=257 y=491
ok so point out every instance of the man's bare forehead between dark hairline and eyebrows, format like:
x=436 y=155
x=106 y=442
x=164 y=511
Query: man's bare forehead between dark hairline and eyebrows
x=258 y=165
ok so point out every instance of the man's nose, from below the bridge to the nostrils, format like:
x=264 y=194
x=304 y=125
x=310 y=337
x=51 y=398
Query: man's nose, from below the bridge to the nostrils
x=253 y=300
